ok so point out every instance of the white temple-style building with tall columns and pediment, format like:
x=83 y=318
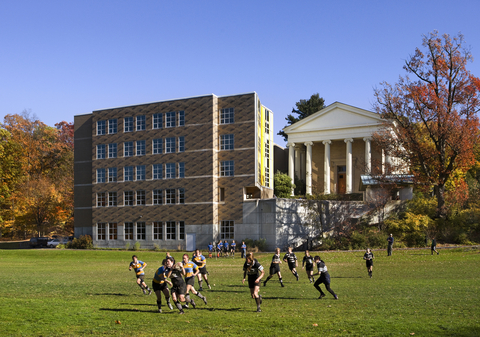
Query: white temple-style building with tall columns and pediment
x=346 y=132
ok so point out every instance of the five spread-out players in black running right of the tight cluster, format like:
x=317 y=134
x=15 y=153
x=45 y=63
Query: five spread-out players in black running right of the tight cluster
x=255 y=272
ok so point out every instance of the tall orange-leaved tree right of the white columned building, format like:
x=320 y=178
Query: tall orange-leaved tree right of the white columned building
x=430 y=119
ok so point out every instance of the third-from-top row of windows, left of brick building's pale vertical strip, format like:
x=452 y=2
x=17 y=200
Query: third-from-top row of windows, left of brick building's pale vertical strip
x=138 y=173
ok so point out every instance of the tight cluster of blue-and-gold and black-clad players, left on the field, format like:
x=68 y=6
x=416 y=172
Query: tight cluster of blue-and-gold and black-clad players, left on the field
x=182 y=280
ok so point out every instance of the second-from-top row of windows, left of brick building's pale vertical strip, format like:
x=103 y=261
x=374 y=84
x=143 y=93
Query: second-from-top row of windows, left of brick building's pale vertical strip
x=138 y=148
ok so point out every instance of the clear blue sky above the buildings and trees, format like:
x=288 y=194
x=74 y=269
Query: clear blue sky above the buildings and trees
x=63 y=58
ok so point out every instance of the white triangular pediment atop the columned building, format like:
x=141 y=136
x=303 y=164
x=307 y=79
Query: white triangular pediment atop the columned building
x=335 y=116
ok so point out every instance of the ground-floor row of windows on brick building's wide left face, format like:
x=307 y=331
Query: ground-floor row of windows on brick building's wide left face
x=169 y=230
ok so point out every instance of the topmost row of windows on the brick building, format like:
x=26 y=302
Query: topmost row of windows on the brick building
x=159 y=121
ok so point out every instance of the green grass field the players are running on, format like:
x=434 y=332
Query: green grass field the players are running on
x=73 y=292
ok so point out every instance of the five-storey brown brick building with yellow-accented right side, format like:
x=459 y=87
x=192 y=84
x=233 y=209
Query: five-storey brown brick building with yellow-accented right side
x=171 y=174
